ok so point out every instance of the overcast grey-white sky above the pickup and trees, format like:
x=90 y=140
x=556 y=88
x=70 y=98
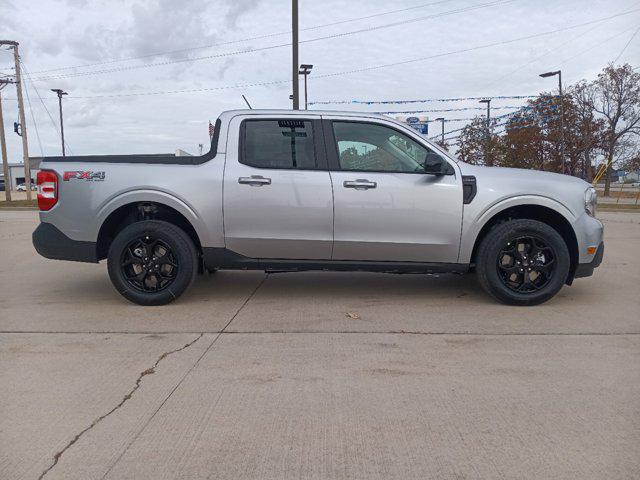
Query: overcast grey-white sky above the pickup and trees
x=58 y=34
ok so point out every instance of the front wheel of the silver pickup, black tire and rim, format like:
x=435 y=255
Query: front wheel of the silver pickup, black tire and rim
x=505 y=271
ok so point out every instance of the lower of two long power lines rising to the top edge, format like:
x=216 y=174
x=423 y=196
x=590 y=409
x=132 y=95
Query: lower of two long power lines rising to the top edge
x=271 y=47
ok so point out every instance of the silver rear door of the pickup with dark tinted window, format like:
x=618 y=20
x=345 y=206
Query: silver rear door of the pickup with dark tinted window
x=277 y=197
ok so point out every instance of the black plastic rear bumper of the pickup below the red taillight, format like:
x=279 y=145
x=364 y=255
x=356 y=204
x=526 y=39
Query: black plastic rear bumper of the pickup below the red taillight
x=52 y=243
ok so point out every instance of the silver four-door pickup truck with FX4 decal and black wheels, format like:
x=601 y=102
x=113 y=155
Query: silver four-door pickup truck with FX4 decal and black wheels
x=316 y=190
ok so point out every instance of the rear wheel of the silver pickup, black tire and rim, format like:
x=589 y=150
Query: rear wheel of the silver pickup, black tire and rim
x=131 y=262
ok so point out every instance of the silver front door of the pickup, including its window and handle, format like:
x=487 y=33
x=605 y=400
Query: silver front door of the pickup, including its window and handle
x=386 y=207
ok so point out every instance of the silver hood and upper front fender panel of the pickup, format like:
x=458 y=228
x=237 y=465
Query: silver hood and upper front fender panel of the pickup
x=501 y=183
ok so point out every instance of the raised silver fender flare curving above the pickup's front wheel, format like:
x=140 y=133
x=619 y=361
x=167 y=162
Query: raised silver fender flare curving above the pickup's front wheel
x=476 y=217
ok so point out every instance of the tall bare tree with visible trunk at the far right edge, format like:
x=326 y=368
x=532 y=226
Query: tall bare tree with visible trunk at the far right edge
x=616 y=98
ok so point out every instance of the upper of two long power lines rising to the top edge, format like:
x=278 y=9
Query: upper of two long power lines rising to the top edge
x=242 y=40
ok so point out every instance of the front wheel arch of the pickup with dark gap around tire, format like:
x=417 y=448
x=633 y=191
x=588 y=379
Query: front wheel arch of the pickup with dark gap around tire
x=557 y=218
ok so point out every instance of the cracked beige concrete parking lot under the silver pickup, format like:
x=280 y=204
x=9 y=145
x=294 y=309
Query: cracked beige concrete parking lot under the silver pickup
x=317 y=375
